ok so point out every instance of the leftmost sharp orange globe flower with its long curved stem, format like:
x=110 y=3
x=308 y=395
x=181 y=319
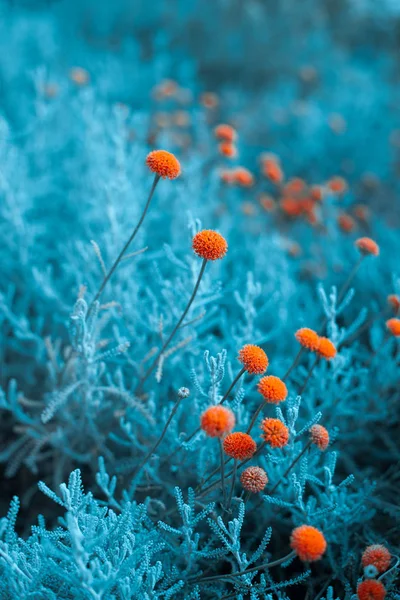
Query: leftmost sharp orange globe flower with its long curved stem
x=163 y=164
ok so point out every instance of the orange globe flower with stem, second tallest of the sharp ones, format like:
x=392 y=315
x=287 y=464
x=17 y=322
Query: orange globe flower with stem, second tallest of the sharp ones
x=209 y=245
